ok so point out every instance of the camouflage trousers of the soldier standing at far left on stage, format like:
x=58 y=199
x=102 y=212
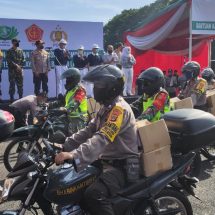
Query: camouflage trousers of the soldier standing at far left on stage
x=15 y=78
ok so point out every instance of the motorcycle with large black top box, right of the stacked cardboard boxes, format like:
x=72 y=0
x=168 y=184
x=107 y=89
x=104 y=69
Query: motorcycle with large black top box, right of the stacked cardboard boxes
x=191 y=130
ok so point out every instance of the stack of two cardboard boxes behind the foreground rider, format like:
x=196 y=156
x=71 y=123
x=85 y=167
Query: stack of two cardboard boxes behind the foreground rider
x=156 y=156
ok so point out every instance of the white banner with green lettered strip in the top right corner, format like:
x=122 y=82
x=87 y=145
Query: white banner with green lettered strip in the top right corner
x=203 y=17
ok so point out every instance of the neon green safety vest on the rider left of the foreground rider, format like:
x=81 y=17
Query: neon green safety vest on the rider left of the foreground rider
x=81 y=110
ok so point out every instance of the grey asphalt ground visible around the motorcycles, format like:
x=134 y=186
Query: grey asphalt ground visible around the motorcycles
x=205 y=189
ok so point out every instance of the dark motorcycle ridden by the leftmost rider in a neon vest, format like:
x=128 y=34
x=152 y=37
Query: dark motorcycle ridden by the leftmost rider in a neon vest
x=51 y=124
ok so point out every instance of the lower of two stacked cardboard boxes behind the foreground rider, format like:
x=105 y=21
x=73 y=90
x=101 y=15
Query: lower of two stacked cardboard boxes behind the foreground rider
x=156 y=161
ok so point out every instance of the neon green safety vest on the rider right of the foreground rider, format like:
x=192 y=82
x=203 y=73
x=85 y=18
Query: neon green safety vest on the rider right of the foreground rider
x=149 y=103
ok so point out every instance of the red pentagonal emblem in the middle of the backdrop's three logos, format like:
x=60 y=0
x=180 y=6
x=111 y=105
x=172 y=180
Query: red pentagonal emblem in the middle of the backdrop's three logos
x=34 y=33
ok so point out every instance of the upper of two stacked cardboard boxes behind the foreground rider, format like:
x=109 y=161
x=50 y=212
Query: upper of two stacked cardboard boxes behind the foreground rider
x=153 y=135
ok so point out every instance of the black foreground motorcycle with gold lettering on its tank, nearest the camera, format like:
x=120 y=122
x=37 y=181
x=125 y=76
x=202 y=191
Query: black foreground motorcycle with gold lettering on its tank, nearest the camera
x=61 y=191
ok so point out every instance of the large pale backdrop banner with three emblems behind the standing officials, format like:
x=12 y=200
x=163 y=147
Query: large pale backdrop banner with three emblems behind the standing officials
x=51 y=32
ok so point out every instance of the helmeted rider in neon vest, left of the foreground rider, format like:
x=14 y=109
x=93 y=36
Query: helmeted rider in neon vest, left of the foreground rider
x=75 y=101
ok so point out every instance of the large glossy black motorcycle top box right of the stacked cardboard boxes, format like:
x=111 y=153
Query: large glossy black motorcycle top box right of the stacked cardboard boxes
x=190 y=128
